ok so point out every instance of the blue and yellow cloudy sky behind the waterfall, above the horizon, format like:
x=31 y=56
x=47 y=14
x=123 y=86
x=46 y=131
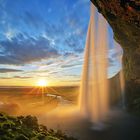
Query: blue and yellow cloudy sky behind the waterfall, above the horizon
x=43 y=39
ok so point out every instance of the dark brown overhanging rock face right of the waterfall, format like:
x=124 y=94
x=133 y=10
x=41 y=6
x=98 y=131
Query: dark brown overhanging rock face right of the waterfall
x=124 y=18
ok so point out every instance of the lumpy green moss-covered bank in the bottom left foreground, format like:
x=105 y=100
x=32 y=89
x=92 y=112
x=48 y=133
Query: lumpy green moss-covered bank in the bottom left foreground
x=27 y=128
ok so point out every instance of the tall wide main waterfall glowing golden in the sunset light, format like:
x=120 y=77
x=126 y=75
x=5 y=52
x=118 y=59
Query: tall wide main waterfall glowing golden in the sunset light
x=93 y=101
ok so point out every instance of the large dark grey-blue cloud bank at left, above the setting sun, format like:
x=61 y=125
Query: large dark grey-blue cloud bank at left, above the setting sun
x=19 y=50
